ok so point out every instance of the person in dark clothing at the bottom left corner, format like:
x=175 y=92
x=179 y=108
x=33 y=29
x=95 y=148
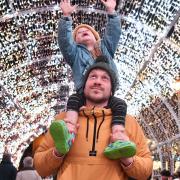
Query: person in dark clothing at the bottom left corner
x=7 y=170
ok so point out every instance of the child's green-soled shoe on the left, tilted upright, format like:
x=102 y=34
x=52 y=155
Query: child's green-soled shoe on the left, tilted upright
x=61 y=136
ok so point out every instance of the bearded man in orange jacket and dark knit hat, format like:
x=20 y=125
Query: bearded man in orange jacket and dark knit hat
x=86 y=159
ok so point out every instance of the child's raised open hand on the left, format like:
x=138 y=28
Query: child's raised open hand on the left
x=67 y=8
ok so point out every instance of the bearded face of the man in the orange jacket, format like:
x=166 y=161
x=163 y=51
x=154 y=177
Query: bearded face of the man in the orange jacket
x=97 y=88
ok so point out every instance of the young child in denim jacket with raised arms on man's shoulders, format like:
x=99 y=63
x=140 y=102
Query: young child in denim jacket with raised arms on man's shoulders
x=80 y=50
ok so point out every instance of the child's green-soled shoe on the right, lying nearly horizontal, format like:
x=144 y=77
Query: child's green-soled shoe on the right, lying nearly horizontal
x=120 y=149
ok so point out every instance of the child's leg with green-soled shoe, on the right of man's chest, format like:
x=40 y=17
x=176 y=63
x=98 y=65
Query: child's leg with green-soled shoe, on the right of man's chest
x=119 y=148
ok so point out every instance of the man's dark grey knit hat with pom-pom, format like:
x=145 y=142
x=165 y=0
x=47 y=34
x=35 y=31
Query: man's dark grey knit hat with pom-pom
x=102 y=62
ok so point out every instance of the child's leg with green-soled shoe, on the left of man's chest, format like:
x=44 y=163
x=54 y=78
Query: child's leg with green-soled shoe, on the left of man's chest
x=63 y=131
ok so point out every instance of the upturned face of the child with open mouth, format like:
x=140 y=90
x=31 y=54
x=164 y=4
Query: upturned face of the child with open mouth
x=85 y=36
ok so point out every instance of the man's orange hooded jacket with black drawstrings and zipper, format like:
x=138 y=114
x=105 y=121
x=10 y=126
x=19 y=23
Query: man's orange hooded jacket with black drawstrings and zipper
x=93 y=135
